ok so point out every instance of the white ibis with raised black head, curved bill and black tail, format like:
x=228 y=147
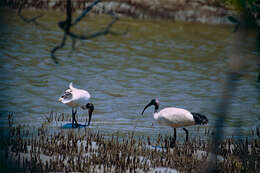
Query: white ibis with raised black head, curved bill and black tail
x=176 y=117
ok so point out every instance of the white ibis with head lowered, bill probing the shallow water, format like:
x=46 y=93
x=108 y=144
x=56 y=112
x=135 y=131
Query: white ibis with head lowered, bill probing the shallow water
x=74 y=98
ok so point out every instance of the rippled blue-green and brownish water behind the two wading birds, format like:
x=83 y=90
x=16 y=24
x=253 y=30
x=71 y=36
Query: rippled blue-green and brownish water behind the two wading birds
x=181 y=64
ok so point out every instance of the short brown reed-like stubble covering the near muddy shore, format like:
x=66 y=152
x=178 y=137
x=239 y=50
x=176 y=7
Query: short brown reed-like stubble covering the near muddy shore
x=91 y=151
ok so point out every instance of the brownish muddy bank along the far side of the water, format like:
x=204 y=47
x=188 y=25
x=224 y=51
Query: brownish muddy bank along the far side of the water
x=179 y=10
